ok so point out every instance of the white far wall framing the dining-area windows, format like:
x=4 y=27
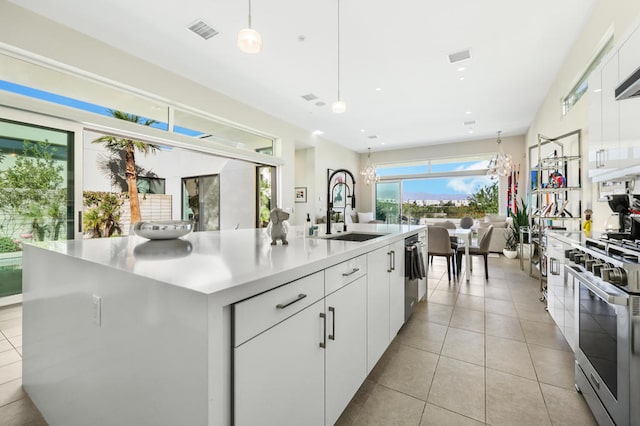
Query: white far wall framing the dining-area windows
x=513 y=145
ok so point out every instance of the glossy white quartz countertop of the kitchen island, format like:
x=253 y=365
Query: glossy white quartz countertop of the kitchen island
x=216 y=262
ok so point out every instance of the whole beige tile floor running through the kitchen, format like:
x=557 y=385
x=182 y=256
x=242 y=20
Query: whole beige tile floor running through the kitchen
x=473 y=354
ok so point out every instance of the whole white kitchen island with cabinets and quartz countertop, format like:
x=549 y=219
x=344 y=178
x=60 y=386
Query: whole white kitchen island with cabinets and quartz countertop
x=131 y=331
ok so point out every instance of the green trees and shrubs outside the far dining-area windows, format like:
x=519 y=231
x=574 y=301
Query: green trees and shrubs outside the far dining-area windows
x=482 y=202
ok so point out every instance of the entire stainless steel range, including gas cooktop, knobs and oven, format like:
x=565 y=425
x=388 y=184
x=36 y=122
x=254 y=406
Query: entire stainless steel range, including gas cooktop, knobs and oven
x=606 y=275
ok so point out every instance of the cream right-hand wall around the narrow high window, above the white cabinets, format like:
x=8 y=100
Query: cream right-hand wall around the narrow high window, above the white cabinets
x=619 y=14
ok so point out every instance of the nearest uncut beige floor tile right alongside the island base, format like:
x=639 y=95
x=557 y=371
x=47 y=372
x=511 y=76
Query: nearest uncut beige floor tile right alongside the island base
x=410 y=371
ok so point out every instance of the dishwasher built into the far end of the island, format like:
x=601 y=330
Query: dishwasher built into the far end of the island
x=415 y=280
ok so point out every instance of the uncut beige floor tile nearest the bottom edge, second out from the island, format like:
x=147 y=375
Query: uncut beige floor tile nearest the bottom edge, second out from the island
x=459 y=386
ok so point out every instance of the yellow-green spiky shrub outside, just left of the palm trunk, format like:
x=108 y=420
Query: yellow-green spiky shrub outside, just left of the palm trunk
x=102 y=217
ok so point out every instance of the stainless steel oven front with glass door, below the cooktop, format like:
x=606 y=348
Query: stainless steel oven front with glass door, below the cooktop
x=608 y=349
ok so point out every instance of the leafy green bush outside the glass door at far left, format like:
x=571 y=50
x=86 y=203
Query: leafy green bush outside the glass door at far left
x=32 y=195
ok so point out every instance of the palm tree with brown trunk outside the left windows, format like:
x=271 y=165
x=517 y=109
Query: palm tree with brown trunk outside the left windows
x=129 y=146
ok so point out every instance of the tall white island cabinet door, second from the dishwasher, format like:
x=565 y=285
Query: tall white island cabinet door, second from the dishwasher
x=378 y=269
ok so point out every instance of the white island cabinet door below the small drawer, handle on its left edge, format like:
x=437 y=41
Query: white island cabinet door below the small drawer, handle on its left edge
x=346 y=354
